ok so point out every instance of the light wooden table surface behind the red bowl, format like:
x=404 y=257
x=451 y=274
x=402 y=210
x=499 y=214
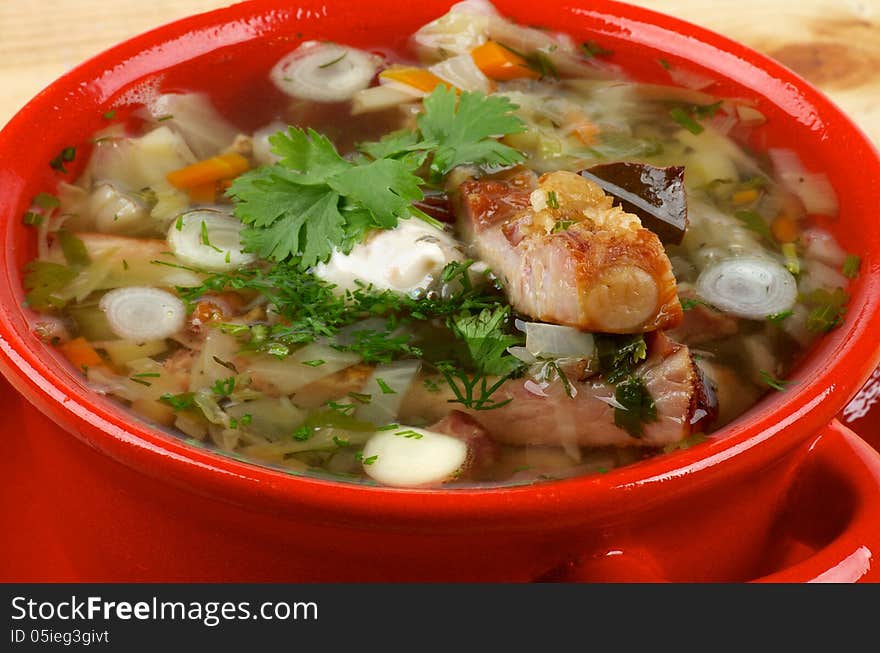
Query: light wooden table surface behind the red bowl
x=833 y=43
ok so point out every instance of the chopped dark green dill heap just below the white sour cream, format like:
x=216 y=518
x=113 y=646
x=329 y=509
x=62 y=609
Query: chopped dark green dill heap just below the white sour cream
x=477 y=317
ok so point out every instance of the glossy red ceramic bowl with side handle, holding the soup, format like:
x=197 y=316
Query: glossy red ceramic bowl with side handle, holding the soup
x=782 y=494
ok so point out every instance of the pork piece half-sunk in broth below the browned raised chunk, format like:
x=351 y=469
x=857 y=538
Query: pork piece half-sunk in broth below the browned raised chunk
x=546 y=415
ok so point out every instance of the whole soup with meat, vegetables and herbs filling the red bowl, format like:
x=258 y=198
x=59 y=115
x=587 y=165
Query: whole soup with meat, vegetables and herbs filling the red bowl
x=490 y=259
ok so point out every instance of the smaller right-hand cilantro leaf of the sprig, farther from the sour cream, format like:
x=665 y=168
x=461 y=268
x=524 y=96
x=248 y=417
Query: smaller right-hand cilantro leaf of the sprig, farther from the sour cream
x=465 y=127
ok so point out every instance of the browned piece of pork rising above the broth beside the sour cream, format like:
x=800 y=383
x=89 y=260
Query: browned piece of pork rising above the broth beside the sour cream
x=566 y=255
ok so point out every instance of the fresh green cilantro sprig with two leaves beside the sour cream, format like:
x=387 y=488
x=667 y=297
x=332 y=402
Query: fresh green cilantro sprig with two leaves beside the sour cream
x=314 y=200
